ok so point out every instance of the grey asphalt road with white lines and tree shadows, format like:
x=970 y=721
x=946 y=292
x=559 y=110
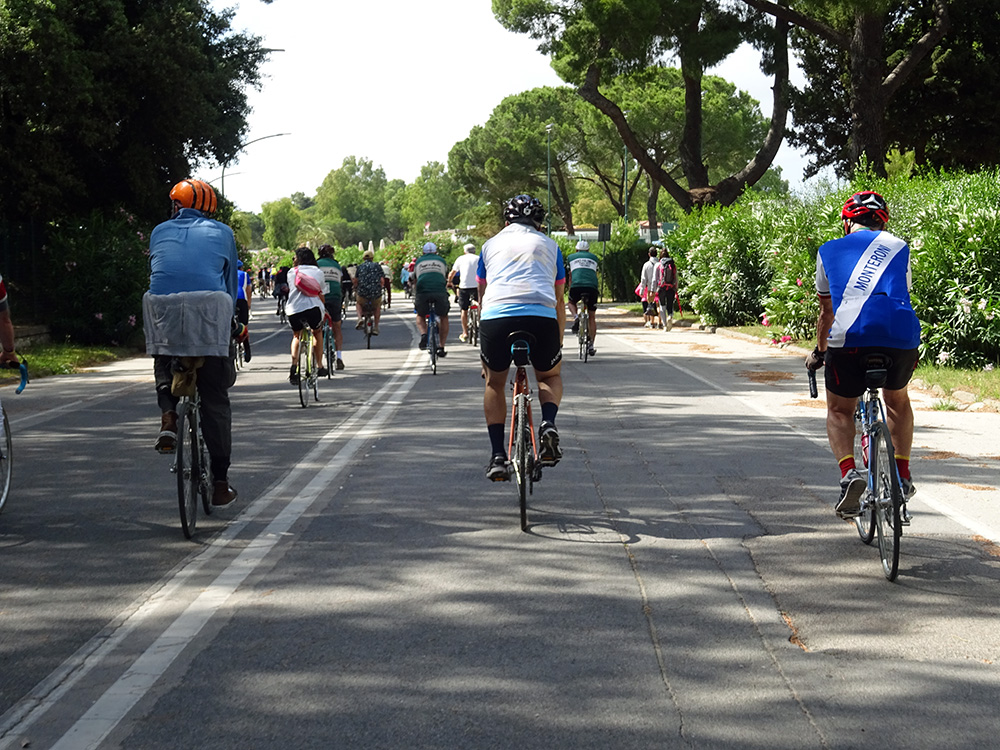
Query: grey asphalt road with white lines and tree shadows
x=683 y=584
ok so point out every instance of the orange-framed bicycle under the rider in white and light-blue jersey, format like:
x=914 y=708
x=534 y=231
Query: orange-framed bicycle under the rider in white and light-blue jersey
x=522 y=446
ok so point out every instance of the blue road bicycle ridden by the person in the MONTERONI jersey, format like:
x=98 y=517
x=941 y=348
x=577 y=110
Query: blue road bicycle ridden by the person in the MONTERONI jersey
x=883 y=508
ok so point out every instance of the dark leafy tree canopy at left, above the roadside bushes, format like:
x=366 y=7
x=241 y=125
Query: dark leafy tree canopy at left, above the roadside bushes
x=109 y=102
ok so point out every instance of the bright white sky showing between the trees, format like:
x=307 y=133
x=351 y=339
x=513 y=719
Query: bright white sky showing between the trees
x=396 y=81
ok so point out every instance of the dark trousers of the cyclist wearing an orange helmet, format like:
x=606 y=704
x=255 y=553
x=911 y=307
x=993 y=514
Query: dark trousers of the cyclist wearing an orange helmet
x=214 y=379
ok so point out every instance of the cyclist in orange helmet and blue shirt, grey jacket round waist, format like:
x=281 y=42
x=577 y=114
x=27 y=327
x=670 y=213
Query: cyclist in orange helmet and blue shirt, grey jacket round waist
x=188 y=312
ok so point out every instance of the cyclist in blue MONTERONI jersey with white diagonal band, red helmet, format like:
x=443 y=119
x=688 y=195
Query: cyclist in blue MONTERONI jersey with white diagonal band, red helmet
x=863 y=282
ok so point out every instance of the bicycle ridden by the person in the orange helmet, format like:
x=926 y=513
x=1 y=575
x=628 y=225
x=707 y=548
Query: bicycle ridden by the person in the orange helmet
x=191 y=463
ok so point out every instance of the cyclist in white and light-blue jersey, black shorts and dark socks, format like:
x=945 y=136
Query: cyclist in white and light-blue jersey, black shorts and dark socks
x=521 y=280
